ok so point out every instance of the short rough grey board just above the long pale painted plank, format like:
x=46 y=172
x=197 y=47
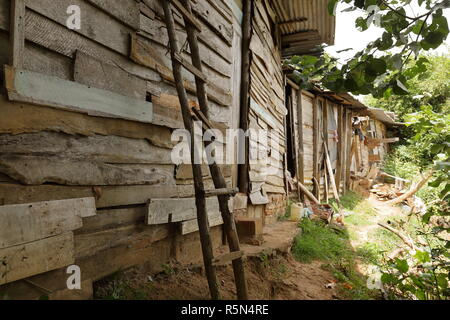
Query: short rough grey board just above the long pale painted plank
x=95 y=73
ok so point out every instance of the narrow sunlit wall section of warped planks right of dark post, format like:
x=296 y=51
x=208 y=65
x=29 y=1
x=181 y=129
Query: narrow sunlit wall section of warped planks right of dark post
x=267 y=107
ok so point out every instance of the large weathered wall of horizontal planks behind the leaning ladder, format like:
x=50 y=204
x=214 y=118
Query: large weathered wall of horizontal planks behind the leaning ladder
x=55 y=145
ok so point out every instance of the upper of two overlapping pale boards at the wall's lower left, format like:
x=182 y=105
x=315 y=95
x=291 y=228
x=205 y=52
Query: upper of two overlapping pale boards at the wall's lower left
x=26 y=223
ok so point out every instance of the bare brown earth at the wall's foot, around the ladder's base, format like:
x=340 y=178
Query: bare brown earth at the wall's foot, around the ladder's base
x=272 y=274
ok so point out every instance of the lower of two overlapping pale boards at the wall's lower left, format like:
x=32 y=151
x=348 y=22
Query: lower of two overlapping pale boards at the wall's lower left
x=37 y=257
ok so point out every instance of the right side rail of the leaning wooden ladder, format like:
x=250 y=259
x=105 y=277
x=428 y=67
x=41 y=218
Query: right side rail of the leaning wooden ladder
x=218 y=179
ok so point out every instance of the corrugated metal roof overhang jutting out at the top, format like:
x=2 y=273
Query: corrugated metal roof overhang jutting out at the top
x=304 y=24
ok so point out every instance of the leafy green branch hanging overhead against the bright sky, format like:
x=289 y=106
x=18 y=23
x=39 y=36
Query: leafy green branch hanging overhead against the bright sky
x=383 y=67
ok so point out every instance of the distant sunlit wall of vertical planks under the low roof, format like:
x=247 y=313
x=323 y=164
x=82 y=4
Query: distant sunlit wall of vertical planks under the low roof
x=321 y=118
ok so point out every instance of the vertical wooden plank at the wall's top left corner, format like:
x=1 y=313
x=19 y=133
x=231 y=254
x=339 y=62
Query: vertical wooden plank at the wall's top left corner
x=17 y=33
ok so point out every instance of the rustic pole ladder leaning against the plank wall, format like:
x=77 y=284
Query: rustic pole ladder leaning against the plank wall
x=193 y=26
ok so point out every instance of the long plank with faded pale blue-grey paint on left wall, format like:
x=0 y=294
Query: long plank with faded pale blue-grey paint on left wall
x=25 y=86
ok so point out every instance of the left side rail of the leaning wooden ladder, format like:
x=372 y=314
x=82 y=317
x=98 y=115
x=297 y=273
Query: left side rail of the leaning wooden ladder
x=200 y=201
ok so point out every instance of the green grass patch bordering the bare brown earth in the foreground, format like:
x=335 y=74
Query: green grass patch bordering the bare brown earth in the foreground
x=318 y=242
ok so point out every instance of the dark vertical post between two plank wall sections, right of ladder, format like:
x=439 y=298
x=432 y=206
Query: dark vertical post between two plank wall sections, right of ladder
x=245 y=90
